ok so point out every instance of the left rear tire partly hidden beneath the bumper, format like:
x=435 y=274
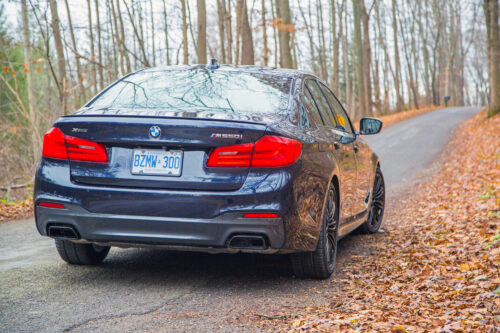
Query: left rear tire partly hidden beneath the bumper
x=81 y=254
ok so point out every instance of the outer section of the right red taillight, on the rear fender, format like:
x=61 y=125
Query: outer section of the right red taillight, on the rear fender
x=275 y=151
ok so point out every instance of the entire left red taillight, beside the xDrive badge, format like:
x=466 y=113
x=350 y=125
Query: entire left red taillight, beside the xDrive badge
x=57 y=145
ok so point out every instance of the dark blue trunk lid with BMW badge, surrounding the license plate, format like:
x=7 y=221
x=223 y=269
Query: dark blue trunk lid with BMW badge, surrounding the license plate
x=194 y=137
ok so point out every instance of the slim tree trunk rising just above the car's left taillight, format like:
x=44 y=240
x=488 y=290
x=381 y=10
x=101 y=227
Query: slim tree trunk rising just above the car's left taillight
x=61 y=63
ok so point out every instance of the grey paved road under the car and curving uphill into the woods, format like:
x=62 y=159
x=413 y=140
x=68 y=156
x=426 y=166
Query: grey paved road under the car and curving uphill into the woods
x=145 y=289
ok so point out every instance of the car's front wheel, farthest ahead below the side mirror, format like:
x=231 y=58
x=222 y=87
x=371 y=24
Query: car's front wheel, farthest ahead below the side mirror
x=377 y=206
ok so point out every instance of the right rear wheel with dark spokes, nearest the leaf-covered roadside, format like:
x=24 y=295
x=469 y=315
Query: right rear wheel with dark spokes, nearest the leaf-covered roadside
x=320 y=263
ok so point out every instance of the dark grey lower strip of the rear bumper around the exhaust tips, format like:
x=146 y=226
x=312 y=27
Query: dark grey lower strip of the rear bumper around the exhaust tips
x=121 y=230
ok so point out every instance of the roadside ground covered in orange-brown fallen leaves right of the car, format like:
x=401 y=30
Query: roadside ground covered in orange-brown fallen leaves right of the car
x=435 y=266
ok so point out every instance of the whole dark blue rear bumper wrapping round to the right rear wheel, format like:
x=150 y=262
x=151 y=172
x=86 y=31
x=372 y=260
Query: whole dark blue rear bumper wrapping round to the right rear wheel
x=200 y=219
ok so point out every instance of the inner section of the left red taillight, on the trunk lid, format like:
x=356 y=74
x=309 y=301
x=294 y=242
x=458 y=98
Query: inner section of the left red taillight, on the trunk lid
x=85 y=150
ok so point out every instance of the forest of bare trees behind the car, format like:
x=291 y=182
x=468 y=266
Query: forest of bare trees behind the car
x=379 y=57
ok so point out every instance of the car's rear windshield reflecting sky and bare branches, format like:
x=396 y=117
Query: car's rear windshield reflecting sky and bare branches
x=199 y=89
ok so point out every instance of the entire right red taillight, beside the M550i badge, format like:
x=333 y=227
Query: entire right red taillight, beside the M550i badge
x=269 y=151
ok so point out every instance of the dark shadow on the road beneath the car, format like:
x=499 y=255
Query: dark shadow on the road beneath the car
x=165 y=267
